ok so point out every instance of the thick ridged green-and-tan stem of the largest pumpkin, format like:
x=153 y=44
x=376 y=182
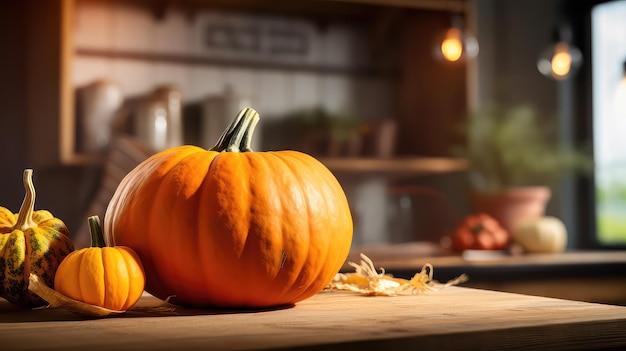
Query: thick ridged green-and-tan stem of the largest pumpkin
x=236 y=138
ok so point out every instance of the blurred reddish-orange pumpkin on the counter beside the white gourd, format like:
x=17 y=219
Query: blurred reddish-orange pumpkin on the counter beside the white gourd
x=479 y=232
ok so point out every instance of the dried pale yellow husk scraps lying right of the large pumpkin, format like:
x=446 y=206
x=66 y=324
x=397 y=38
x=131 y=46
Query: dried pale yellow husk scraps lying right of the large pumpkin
x=368 y=281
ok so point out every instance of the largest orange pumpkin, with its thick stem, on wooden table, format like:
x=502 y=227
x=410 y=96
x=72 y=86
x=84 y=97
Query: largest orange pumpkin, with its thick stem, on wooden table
x=230 y=227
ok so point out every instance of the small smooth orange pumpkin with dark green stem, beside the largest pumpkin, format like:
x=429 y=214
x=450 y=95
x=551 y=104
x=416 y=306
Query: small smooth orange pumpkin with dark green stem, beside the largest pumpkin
x=109 y=277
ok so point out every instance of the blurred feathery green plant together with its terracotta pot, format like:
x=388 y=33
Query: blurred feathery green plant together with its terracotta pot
x=515 y=159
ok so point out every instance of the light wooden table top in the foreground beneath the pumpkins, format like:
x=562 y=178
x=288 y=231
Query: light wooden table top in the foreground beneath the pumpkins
x=453 y=318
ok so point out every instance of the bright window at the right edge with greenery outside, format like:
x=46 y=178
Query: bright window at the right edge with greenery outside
x=608 y=49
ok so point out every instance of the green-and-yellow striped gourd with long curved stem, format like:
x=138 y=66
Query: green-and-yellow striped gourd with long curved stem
x=30 y=242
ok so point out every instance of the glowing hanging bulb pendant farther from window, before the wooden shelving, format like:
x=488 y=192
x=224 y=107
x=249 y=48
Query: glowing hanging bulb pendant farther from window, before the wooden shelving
x=455 y=43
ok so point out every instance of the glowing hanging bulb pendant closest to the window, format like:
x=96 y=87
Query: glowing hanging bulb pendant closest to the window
x=562 y=59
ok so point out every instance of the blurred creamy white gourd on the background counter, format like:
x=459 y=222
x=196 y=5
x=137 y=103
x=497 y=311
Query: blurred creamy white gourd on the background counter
x=542 y=235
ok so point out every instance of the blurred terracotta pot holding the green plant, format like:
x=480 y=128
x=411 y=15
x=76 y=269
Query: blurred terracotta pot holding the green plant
x=513 y=206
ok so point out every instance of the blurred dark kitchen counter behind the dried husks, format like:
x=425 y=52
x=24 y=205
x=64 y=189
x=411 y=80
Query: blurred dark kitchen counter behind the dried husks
x=590 y=276
